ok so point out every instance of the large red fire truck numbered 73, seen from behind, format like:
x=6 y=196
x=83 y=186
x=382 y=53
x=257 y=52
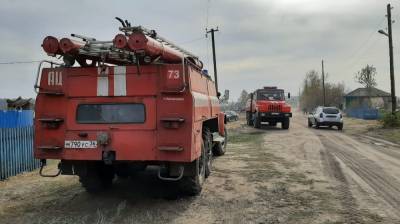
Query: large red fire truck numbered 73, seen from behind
x=135 y=101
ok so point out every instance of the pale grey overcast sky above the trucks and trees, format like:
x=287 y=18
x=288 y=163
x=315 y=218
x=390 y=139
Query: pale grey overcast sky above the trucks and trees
x=269 y=42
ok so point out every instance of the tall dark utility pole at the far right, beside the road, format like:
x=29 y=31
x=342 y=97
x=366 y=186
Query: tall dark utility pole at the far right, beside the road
x=392 y=84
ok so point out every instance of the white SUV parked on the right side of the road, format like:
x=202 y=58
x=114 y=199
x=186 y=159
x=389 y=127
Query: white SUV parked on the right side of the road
x=326 y=116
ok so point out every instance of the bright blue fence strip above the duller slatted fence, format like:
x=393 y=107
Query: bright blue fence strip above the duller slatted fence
x=12 y=118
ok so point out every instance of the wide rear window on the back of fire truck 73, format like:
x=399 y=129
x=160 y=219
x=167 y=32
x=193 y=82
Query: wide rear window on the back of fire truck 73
x=110 y=113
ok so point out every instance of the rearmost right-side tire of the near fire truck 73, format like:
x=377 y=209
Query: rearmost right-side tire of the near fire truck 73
x=192 y=185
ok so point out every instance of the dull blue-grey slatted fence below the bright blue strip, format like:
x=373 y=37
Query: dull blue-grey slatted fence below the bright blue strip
x=16 y=151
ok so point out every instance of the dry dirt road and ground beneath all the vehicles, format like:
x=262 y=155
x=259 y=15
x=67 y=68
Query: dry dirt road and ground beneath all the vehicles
x=300 y=175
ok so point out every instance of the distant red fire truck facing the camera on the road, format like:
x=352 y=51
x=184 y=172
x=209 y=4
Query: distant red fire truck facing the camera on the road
x=268 y=105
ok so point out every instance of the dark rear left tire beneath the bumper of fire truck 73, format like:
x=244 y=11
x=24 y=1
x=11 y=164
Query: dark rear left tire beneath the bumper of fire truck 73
x=97 y=178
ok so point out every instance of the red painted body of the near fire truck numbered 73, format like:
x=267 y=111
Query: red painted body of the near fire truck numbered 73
x=167 y=91
